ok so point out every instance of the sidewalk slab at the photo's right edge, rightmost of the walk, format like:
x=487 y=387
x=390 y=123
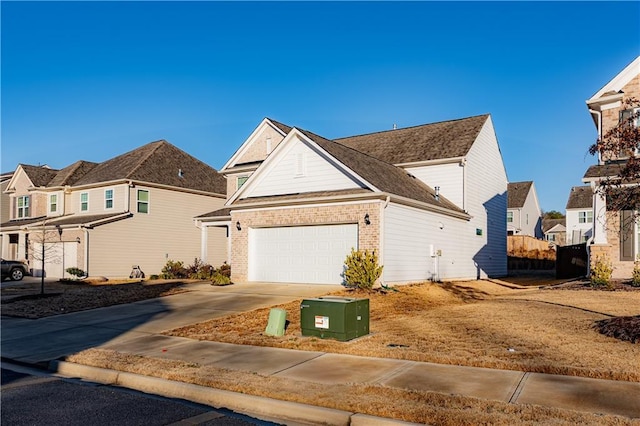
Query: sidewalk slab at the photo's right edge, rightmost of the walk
x=582 y=394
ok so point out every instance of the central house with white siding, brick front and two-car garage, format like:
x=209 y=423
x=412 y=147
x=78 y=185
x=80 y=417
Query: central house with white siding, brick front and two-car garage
x=429 y=200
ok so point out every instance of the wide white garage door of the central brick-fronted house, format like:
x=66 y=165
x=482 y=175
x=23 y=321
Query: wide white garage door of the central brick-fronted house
x=301 y=254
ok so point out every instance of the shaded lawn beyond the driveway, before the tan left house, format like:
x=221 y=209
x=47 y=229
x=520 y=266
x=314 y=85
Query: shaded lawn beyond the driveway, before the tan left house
x=24 y=300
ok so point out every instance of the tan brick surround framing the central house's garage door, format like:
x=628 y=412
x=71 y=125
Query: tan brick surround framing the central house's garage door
x=368 y=235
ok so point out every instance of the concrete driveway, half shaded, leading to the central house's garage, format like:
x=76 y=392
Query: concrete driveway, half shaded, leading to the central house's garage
x=41 y=340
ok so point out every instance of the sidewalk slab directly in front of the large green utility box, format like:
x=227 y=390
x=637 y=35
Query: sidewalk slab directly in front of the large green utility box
x=340 y=369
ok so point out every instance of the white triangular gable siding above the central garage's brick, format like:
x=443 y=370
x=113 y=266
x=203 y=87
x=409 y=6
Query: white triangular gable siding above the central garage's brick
x=300 y=170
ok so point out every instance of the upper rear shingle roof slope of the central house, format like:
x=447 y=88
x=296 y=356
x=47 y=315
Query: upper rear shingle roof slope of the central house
x=446 y=139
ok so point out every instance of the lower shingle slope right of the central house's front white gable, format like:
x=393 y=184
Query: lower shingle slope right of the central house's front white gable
x=384 y=176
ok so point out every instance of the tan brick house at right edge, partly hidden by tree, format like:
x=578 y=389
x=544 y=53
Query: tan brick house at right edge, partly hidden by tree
x=615 y=233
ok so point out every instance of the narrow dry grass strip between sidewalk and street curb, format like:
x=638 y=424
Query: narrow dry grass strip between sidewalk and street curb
x=376 y=400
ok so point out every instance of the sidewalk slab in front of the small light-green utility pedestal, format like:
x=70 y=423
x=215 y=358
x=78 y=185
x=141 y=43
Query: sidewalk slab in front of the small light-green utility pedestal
x=263 y=360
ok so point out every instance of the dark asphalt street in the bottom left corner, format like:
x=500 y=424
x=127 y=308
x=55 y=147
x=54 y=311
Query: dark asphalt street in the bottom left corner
x=33 y=398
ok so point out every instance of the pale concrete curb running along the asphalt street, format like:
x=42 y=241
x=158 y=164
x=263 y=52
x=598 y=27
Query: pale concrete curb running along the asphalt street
x=261 y=407
